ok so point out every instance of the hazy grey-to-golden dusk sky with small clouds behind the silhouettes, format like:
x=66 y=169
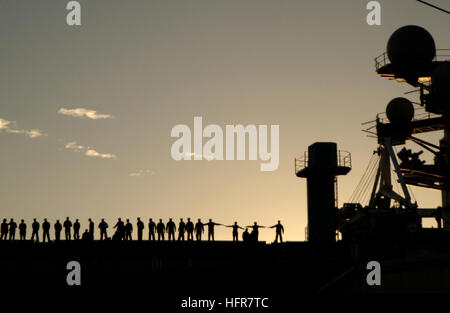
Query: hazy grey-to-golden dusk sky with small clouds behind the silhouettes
x=86 y=111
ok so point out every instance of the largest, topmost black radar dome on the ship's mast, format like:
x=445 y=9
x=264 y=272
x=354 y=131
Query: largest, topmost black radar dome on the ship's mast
x=411 y=44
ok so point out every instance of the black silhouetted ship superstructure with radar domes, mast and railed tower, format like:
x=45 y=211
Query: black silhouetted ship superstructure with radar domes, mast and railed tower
x=391 y=216
